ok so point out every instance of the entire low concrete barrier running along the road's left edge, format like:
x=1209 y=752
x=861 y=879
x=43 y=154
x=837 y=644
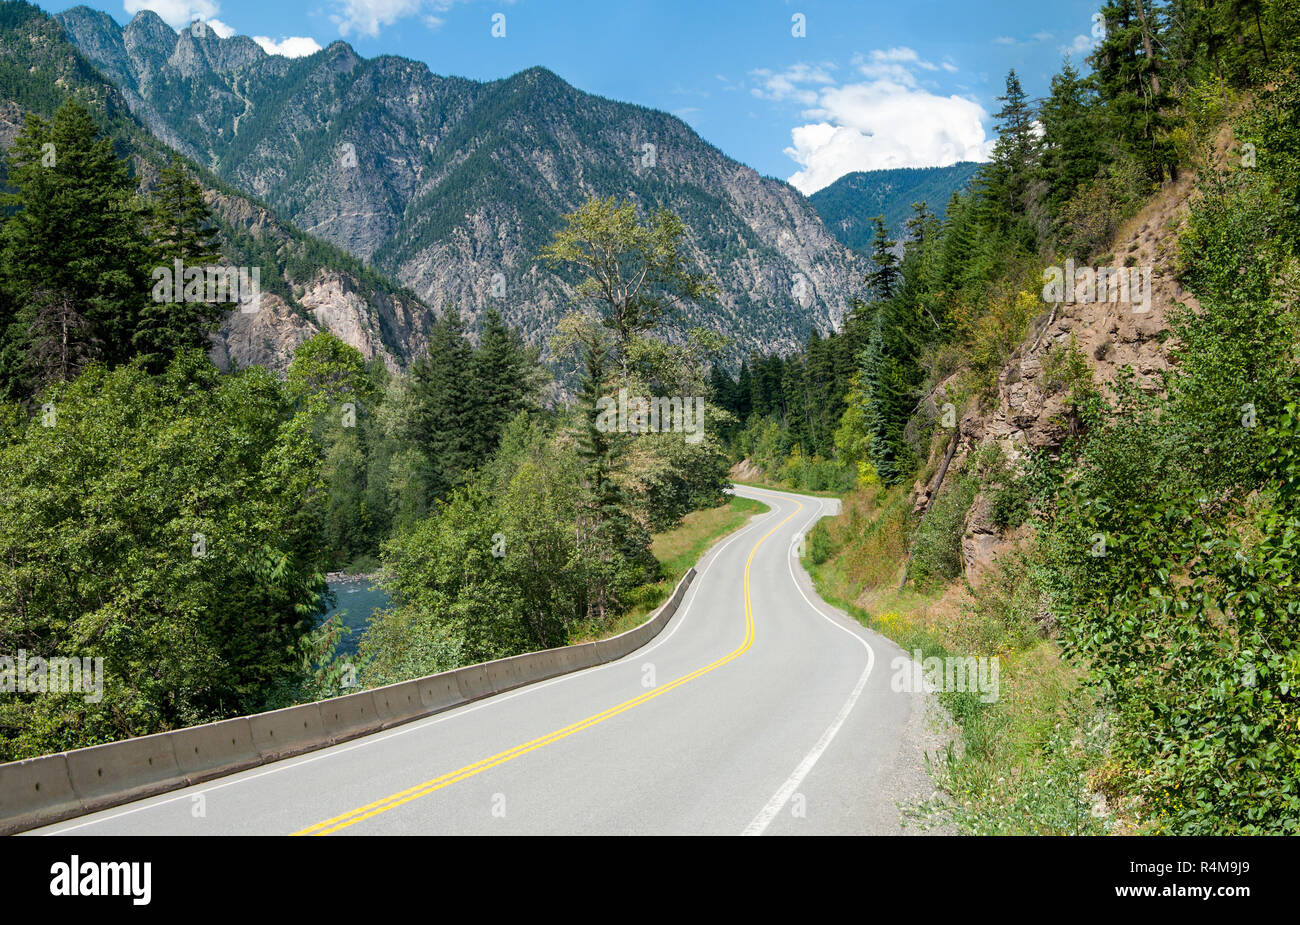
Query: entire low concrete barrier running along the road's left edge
x=54 y=788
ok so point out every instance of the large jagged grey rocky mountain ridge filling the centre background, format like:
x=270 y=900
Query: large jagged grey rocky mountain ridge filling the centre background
x=443 y=184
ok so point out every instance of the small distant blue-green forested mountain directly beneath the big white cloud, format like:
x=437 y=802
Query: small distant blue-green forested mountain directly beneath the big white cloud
x=851 y=203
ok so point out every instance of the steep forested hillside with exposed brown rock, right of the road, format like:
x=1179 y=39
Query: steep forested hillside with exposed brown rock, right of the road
x=1069 y=422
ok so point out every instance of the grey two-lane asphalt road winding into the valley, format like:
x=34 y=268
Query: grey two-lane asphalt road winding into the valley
x=759 y=710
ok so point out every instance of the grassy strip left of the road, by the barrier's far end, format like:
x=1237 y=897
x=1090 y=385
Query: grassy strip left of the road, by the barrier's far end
x=677 y=550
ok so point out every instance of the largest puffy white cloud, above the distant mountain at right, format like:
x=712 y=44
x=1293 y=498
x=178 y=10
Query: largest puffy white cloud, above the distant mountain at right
x=886 y=121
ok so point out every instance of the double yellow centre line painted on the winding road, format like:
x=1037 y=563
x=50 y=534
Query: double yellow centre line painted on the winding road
x=419 y=791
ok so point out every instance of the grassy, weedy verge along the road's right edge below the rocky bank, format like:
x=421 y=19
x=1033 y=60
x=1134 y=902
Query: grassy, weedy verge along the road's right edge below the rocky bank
x=1029 y=762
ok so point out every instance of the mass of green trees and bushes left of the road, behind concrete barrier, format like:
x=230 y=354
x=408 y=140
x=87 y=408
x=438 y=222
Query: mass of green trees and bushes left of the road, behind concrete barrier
x=179 y=522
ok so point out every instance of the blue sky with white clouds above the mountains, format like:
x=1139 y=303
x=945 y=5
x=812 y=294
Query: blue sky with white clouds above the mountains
x=866 y=86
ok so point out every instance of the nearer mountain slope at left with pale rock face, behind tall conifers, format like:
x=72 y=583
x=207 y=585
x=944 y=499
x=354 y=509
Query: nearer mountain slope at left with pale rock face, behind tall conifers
x=307 y=285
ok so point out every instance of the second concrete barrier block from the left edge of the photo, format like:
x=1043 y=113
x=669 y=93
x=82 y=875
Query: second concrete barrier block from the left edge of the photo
x=125 y=771
